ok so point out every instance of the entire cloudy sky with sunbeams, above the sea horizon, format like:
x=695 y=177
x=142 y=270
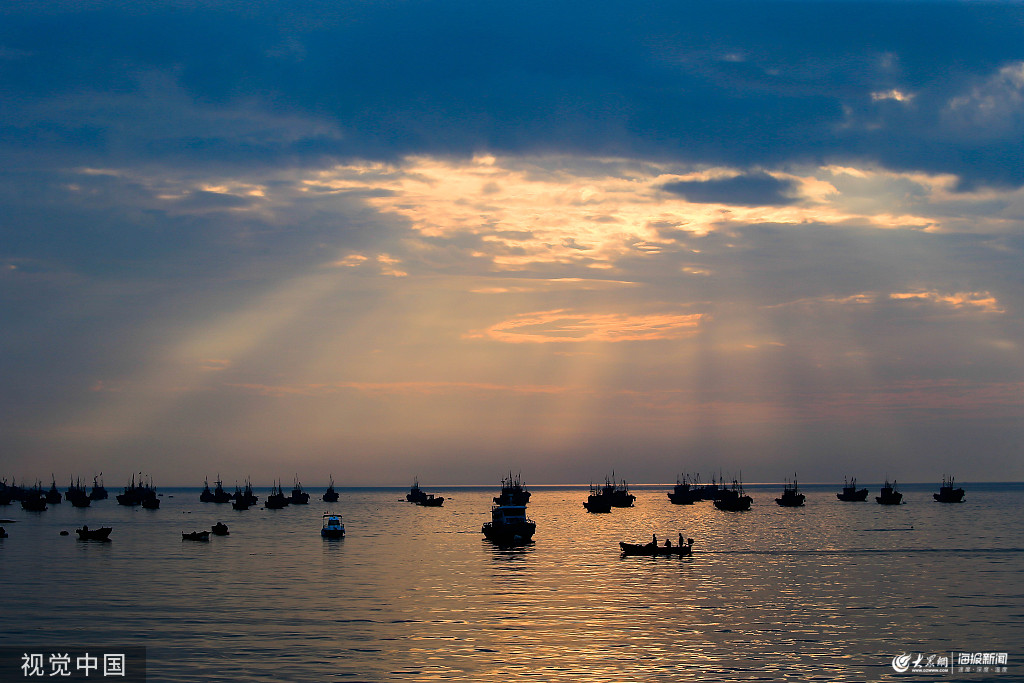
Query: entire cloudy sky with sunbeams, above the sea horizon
x=451 y=240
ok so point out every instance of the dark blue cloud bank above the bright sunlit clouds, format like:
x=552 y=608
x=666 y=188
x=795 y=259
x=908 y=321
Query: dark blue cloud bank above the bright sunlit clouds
x=746 y=84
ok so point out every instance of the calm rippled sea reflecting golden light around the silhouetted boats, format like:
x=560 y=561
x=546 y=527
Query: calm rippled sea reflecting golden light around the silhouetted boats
x=831 y=592
